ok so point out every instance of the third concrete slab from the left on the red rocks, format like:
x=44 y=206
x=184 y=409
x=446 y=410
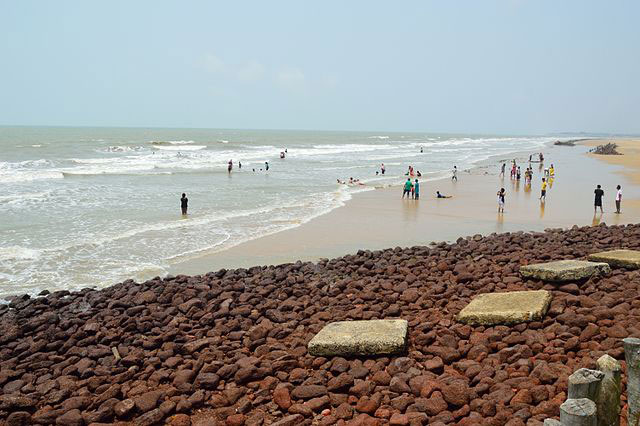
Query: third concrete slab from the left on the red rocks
x=564 y=270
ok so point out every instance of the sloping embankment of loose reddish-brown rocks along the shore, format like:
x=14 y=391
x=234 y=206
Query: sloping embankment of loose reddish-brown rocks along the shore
x=229 y=347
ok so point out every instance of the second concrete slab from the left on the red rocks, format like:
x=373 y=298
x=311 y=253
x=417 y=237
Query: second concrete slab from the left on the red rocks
x=506 y=308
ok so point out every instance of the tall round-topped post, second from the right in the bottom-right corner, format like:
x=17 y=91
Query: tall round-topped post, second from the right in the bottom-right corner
x=608 y=401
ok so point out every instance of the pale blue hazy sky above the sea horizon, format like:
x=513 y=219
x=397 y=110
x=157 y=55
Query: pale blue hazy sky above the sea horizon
x=491 y=66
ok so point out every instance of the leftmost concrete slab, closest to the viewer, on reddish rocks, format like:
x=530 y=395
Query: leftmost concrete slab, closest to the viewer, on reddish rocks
x=355 y=338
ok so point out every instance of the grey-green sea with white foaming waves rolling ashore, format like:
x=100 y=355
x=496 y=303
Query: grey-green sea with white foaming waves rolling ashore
x=90 y=207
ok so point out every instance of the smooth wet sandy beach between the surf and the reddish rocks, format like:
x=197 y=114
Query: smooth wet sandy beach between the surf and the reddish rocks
x=380 y=219
